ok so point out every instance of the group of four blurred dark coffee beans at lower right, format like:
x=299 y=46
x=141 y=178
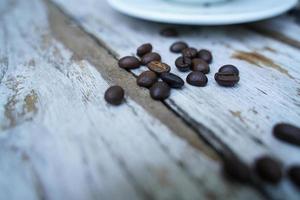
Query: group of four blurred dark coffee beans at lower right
x=267 y=168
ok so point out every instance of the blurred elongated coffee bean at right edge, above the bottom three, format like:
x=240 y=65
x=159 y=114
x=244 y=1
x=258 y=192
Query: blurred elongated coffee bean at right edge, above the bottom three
x=287 y=133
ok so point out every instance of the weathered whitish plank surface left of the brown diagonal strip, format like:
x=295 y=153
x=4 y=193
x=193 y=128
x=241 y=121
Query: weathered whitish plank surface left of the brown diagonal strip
x=60 y=140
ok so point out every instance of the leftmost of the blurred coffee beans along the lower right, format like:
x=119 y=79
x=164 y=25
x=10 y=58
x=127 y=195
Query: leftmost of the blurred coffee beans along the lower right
x=236 y=170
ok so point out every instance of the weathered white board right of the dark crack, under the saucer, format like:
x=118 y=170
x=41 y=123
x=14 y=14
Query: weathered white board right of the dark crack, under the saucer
x=239 y=119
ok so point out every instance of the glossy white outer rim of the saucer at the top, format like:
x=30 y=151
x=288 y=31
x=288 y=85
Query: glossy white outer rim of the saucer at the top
x=202 y=19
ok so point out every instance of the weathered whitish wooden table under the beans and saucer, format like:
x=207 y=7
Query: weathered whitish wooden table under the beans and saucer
x=59 y=139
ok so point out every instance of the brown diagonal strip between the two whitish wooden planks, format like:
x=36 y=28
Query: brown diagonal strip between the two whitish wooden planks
x=91 y=49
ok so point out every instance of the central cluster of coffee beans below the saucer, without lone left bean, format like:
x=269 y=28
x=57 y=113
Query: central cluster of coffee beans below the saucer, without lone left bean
x=160 y=80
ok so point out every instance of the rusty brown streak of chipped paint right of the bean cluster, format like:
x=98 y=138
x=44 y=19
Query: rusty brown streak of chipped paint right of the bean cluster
x=260 y=61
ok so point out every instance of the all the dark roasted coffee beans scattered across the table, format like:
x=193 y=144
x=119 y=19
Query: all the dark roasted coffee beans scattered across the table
x=159 y=80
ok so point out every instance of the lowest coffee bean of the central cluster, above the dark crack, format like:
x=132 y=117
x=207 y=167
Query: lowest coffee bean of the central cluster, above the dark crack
x=160 y=91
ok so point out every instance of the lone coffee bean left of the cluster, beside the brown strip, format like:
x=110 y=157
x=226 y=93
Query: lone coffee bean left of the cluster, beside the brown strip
x=114 y=95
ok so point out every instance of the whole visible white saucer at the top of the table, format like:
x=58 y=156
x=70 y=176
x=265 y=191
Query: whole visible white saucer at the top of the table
x=232 y=12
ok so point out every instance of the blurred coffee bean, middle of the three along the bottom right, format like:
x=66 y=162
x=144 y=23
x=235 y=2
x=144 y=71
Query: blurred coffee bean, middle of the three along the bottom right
x=268 y=169
